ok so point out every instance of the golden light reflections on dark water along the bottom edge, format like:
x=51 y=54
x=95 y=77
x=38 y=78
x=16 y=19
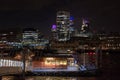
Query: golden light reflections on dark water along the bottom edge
x=50 y=78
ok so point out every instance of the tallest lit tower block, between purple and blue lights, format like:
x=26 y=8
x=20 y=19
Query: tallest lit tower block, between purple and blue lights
x=63 y=25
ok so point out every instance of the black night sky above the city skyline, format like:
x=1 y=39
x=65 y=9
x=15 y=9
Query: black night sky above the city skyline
x=18 y=14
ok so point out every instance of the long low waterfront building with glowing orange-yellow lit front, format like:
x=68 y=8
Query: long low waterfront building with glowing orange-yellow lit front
x=54 y=61
